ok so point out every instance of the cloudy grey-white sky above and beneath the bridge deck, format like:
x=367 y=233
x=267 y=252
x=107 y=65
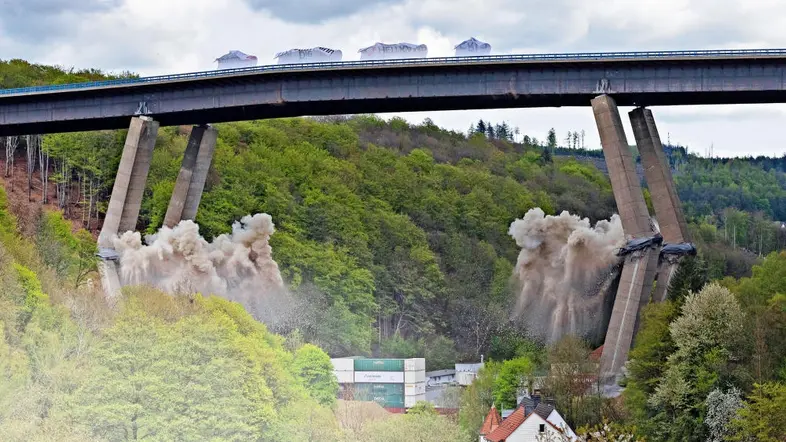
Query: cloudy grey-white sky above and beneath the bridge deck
x=152 y=37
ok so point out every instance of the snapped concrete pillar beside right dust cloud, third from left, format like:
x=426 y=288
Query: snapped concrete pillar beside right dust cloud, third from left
x=638 y=271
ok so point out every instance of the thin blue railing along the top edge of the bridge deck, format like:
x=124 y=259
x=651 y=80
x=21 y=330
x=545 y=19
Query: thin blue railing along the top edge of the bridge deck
x=732 y=53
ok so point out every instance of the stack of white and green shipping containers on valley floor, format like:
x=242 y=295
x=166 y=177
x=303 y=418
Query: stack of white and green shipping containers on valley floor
x=392 y=383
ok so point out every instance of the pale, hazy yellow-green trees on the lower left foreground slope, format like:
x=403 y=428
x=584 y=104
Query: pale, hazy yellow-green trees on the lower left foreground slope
x=158 y=367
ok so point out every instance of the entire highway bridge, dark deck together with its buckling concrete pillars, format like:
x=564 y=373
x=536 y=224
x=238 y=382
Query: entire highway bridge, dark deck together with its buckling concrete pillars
x=599 y=80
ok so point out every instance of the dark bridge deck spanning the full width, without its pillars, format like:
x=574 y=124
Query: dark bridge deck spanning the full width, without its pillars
x=376 y=86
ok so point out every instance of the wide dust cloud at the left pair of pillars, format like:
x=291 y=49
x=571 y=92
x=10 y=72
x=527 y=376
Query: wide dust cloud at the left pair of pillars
x=238 y=266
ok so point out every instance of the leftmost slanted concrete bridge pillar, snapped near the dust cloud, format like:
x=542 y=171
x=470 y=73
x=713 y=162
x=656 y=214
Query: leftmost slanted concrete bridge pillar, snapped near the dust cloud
x=126 y=198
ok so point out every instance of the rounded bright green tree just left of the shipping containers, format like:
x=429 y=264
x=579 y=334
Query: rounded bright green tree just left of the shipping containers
x=313 y=367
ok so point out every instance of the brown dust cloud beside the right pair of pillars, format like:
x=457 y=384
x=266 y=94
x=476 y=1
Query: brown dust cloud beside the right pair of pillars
x=567 y=271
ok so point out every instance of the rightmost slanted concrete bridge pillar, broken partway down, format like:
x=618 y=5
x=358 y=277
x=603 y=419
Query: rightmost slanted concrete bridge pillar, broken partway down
x=668 y=208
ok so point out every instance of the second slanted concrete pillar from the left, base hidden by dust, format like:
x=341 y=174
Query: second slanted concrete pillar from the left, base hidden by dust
x=192 y=176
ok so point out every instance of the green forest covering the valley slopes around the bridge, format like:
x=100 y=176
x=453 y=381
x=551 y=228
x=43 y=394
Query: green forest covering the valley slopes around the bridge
x=395 y=238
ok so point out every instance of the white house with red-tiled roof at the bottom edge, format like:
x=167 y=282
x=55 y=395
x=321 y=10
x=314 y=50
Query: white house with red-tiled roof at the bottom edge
x=521 y=426
